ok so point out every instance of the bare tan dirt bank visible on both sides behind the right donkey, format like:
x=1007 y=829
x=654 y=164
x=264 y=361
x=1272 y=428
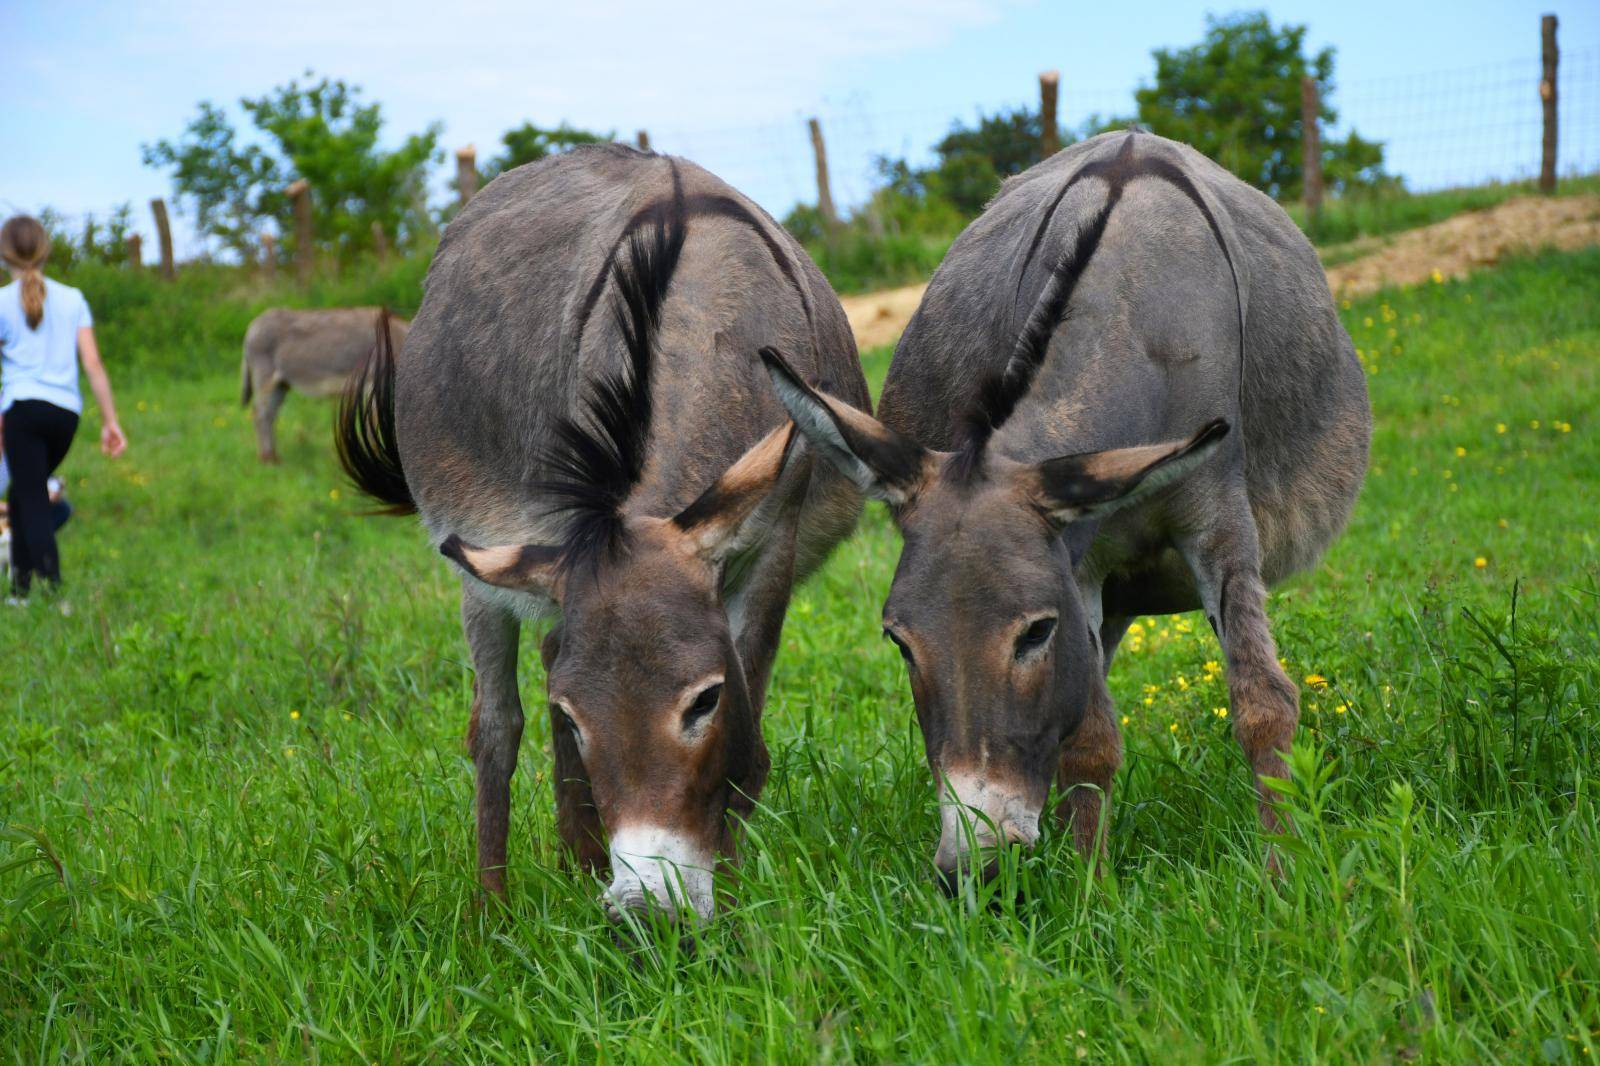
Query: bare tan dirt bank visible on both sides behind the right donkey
x=1454 y=249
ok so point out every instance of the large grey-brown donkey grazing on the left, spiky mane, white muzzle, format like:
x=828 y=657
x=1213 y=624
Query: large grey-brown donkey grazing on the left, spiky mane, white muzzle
x=633 y=470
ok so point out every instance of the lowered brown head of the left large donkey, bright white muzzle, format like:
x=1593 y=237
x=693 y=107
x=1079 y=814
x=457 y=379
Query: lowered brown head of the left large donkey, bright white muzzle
x=646 y=686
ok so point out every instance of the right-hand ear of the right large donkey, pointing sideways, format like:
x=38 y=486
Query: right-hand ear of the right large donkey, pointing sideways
x=1095 y=484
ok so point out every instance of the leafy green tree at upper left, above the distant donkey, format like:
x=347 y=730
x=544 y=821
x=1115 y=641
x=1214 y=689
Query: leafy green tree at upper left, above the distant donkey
x=321 y=132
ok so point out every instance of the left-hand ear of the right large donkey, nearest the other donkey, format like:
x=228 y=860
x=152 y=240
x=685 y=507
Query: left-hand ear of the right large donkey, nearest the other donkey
x=881 y=462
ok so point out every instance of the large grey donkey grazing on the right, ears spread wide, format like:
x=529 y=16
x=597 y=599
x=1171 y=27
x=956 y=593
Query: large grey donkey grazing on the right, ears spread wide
x=1126 y=292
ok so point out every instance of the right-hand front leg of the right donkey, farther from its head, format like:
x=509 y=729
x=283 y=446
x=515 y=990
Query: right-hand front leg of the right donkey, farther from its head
x=1226 y=566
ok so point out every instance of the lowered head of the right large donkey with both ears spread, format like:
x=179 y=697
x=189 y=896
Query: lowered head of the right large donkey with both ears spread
x=985 y=609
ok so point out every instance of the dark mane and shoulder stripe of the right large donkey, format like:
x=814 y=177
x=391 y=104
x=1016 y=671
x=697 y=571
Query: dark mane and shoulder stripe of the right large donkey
x=1001 y=391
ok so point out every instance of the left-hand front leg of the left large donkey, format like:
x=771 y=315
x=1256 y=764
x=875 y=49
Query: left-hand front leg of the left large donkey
x=495 y=731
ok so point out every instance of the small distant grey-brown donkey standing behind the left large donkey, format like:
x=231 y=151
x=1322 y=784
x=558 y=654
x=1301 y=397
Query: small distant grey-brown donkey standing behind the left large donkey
x=313 y=351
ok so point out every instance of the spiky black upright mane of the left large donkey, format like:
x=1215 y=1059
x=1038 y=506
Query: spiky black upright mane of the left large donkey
x=599 y=455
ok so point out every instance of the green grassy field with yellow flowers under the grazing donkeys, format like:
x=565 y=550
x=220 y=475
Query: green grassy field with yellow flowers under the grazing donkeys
x=236 y=803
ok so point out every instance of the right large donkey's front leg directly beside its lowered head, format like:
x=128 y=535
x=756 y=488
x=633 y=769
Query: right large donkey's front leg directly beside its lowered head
x=1092 y=756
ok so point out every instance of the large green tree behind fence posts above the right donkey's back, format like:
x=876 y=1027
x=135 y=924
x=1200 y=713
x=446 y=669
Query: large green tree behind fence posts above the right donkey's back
x=1236 y=97
